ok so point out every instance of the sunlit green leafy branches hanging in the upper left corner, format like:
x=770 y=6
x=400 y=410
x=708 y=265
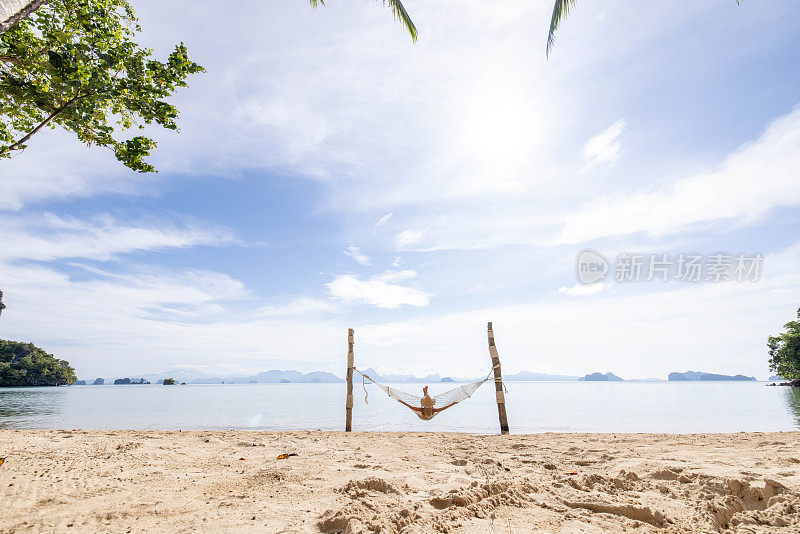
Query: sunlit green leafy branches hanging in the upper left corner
x=75 y=64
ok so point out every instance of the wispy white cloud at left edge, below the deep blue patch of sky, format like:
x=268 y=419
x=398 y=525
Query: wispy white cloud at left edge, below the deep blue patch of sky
x=58 y=306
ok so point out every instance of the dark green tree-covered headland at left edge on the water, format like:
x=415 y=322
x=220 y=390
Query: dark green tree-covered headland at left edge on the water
x=24 y=364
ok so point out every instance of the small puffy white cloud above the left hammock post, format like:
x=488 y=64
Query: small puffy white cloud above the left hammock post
x=381 y=291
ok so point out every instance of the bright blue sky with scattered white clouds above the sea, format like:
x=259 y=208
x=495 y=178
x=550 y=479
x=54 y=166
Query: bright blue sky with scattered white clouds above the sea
x=330 y=174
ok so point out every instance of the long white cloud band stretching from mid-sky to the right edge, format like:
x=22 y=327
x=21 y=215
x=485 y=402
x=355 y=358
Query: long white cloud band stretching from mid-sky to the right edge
x=733 y=190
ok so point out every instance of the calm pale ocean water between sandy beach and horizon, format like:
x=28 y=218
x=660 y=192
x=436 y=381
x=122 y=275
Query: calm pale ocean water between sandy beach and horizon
x=672 y=407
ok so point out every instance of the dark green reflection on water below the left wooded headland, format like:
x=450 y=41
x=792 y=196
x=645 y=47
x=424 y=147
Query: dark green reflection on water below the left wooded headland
x=27 y=406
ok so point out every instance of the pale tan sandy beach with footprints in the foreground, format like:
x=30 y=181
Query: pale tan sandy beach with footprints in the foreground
x=124 y=481
